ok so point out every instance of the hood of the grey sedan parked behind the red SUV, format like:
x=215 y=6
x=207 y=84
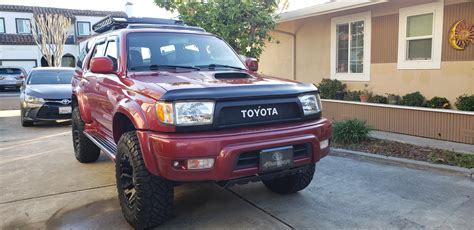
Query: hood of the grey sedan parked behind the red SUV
x=52 y=91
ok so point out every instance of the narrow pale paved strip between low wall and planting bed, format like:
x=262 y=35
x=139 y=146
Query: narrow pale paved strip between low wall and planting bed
x=439 y=144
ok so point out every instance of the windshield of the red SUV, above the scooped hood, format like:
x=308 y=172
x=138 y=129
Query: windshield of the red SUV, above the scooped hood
x=179 y=50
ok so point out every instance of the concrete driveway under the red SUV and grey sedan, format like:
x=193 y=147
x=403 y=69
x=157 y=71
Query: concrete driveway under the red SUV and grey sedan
x=44 y=187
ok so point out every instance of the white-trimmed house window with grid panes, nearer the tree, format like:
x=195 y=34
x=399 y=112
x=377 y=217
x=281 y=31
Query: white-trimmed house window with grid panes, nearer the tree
x=350 y=47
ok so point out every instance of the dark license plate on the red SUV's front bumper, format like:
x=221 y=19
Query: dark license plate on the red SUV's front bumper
x=276 y=158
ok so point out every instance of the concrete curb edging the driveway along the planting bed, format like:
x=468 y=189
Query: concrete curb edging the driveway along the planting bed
x=454 y=170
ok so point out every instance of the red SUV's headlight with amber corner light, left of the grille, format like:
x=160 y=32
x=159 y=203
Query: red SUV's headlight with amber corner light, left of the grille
x=186 y=113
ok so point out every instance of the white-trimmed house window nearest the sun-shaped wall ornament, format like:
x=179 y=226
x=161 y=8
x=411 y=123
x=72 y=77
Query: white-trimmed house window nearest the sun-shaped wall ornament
x=420 y=35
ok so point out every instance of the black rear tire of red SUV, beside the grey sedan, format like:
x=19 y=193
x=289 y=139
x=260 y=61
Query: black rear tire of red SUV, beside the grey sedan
x=84 y=149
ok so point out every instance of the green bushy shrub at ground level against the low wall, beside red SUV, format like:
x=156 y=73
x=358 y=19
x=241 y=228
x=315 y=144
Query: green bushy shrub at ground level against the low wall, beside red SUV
x=350 y=131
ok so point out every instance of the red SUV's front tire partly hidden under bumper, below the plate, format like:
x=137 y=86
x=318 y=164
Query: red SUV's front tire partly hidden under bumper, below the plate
x=292 y=183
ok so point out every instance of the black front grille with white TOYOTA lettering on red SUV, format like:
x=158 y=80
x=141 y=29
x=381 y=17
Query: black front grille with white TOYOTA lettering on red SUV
x=258 y=112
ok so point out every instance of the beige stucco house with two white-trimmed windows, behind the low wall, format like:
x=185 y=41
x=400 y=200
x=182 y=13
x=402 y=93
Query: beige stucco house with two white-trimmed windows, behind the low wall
x=394 y=47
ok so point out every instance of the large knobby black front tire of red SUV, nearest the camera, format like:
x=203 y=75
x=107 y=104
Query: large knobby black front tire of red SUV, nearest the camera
x=153 y=199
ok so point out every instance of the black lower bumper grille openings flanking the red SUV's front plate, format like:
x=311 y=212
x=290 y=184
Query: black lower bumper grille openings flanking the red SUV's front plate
x=252 y=159
